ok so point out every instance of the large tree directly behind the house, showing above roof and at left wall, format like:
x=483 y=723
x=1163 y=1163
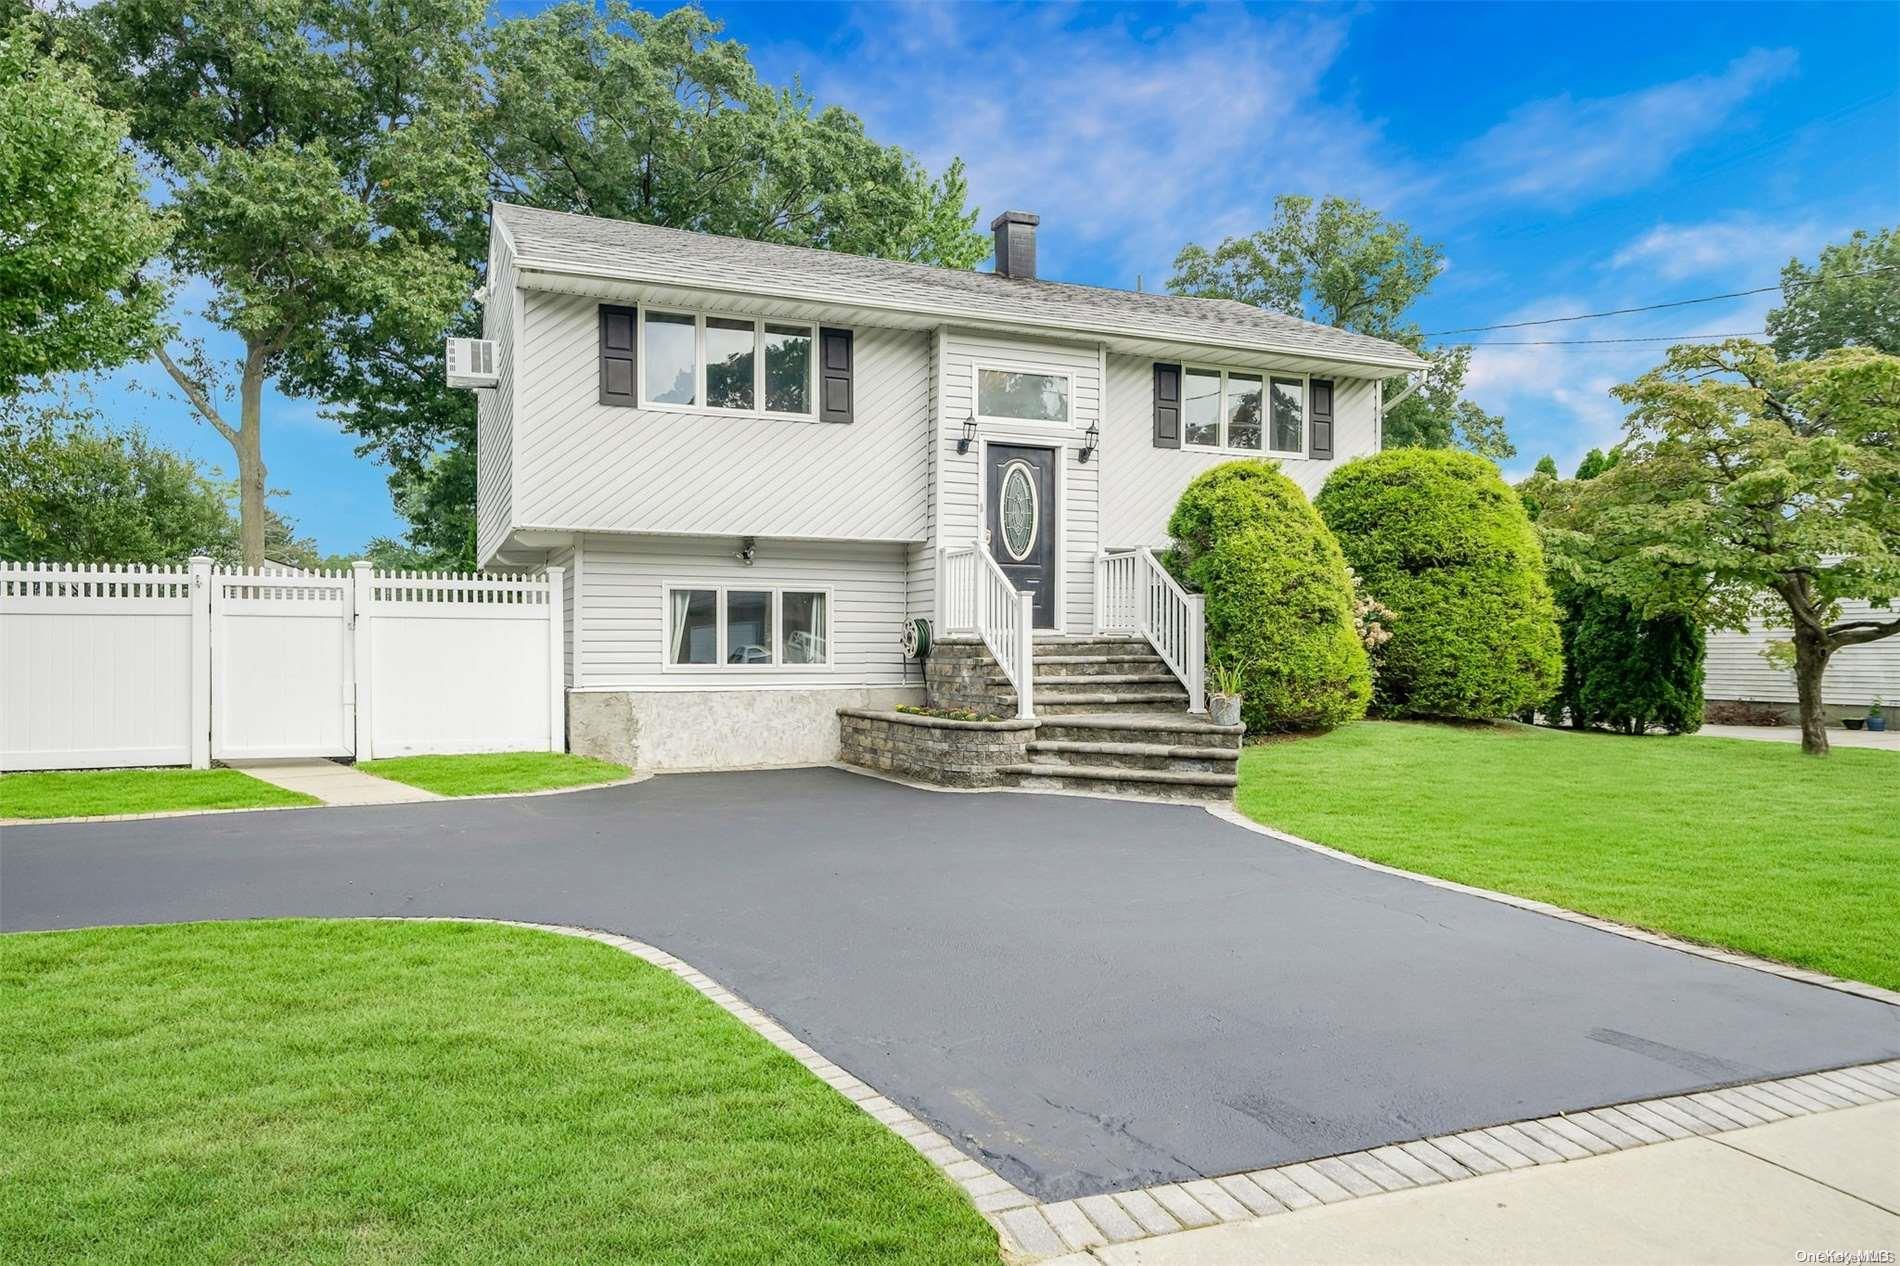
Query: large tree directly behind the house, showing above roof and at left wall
x=636 y=117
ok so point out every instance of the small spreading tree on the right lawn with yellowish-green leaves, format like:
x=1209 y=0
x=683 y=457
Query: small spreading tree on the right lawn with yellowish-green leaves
x=1751 y=486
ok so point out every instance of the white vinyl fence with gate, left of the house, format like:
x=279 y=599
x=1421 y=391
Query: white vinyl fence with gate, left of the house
x=130 y=666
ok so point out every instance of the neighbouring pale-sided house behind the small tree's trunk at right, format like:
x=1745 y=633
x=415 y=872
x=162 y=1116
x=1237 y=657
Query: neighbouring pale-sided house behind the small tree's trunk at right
x=1741 y=685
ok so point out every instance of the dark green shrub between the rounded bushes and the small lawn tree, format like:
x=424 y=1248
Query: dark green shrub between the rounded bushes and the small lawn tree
x=1624 y=672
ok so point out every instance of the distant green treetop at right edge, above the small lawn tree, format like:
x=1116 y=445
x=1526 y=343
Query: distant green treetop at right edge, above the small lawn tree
x=1850 y=299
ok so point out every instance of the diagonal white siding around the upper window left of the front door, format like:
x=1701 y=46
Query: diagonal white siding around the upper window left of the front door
x=590 y=467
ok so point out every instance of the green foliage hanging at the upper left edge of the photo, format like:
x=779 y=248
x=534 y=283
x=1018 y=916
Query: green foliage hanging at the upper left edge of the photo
x=75 y=227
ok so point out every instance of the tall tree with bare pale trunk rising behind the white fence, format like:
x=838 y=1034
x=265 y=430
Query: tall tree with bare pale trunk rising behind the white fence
x=311 y=153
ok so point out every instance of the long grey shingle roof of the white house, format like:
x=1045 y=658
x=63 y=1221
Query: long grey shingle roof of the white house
x=624 y=250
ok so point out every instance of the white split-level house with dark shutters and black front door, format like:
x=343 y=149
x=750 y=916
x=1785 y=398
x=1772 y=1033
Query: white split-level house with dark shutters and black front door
x=755 y=461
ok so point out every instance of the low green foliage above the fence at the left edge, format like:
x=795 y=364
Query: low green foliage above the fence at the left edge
x=73 y=491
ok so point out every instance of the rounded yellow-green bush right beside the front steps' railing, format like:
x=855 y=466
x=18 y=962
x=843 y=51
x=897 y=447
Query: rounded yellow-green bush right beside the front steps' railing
x=1280 y=604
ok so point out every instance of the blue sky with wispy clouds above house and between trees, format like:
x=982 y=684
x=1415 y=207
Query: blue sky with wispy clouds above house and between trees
x=1568 y=159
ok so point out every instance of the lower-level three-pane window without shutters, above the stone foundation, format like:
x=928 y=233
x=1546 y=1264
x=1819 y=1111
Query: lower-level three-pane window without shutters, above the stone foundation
x=748 y=628
